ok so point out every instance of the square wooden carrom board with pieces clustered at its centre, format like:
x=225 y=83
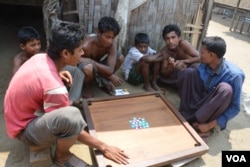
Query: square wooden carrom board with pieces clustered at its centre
x=146 y=126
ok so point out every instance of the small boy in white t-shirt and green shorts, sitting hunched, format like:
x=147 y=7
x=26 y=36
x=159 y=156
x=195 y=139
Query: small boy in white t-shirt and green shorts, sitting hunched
x=137 y=68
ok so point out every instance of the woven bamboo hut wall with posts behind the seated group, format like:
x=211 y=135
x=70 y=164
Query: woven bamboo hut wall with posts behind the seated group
x=149 y=16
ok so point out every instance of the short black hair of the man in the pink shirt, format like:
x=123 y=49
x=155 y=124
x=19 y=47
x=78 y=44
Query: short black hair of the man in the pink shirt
x=64 y=36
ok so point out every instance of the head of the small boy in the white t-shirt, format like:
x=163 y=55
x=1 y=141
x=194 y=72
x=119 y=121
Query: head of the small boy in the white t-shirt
x=141 y=42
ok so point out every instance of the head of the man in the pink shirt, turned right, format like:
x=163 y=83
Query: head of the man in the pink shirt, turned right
x=65 y=43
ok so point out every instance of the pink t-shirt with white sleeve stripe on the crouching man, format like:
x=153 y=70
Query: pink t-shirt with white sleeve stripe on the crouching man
x=36 y=87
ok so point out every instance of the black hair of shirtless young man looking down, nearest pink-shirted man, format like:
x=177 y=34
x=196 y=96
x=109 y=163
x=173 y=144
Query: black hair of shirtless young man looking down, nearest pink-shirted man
x=108 y=24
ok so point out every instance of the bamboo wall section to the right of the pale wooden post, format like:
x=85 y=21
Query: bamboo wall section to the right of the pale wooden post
x=152 y=16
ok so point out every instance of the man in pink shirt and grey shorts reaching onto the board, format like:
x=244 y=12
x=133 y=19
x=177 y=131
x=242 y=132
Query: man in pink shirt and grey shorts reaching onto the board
x=37 y=101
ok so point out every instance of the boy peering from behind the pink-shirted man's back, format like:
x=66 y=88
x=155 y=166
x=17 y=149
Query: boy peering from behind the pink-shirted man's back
x=30 y=43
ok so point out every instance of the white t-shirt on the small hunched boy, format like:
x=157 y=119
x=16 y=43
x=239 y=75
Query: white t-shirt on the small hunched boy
x=133 y=56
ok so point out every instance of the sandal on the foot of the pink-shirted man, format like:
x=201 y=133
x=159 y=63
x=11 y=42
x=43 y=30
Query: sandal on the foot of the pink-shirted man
x=73 y=161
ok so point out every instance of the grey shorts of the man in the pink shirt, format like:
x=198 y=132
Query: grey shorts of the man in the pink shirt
x=65 y=122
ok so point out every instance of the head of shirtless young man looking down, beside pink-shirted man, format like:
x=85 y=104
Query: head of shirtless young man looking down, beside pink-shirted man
x=108 y=29
